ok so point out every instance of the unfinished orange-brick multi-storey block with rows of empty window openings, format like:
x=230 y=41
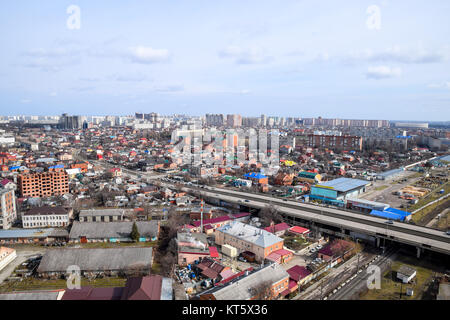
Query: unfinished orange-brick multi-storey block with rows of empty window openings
x=43 y=184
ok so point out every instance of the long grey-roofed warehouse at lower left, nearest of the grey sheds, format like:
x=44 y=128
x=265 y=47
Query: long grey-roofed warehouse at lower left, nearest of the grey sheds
x=110 y=262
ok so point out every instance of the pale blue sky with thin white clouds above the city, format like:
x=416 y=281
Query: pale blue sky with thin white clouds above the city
x=378 y=59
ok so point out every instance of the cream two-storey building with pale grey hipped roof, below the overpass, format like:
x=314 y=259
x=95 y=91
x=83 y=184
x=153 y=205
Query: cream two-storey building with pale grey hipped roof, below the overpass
x=245 y=237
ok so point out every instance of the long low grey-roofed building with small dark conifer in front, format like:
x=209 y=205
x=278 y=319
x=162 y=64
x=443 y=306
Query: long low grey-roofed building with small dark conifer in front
x=113 y=231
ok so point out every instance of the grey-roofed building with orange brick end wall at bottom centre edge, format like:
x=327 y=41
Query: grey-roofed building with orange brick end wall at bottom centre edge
x=261 y=284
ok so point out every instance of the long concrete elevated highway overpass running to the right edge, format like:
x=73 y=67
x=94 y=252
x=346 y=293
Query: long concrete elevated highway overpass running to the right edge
x=421 y=237
